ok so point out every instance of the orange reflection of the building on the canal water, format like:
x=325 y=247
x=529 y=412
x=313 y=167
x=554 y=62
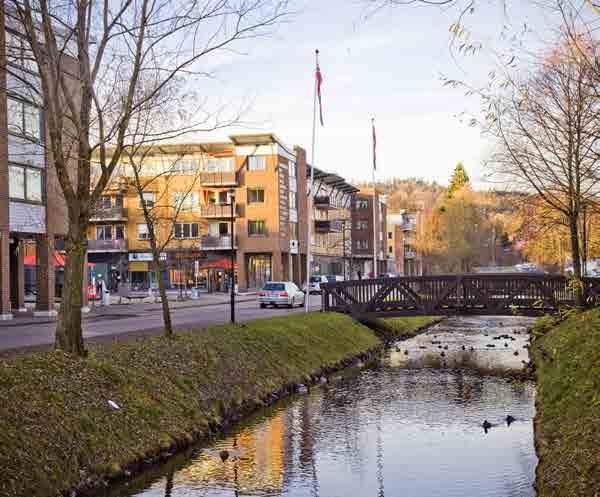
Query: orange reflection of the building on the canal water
x=257 y=467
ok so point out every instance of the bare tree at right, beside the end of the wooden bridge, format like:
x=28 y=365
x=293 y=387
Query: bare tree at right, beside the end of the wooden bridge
x=548 y=134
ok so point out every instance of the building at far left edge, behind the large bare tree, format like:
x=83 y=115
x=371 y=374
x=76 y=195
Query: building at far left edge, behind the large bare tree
x=32 y=209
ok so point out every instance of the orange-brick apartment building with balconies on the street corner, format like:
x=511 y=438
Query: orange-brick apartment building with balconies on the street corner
x=250 y=190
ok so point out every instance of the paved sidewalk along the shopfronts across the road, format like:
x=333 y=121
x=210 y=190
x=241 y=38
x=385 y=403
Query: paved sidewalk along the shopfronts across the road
x=126 y=307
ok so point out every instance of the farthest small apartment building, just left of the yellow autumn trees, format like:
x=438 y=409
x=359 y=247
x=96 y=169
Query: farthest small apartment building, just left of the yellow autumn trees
x=402 y=232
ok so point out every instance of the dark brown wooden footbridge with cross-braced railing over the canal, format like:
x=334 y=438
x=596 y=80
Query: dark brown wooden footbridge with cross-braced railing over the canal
x=491 y=294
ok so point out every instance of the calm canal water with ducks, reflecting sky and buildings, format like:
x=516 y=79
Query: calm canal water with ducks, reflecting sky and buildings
x=410 y=425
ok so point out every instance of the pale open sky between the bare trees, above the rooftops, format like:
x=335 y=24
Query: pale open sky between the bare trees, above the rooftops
x=388 y=67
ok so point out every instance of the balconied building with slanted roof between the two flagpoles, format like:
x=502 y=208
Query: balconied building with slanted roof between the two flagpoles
x=331 y=246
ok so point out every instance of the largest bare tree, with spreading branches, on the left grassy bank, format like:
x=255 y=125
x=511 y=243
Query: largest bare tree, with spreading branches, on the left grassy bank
x=122 y=54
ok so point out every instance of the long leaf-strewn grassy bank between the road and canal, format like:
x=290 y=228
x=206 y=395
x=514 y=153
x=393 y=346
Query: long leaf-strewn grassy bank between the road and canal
x=58 y=430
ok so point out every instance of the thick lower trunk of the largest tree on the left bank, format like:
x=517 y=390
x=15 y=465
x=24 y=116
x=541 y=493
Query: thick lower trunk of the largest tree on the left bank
x=69 y=334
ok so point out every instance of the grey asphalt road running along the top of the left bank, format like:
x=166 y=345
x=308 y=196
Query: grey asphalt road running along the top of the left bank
x=134 y=321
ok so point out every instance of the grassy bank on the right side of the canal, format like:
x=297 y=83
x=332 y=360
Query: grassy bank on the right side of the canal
x=567 y=359
